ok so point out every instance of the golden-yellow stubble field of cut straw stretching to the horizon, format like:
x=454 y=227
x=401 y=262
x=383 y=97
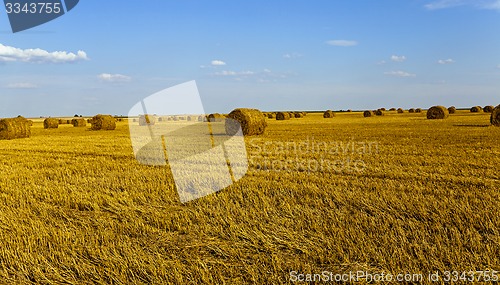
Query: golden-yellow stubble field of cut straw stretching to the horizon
x=394 y=194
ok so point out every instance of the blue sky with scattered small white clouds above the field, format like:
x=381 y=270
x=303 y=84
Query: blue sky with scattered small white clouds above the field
x=104 y=56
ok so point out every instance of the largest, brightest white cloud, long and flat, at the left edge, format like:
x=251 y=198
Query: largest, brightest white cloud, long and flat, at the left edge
x=13 y=54
